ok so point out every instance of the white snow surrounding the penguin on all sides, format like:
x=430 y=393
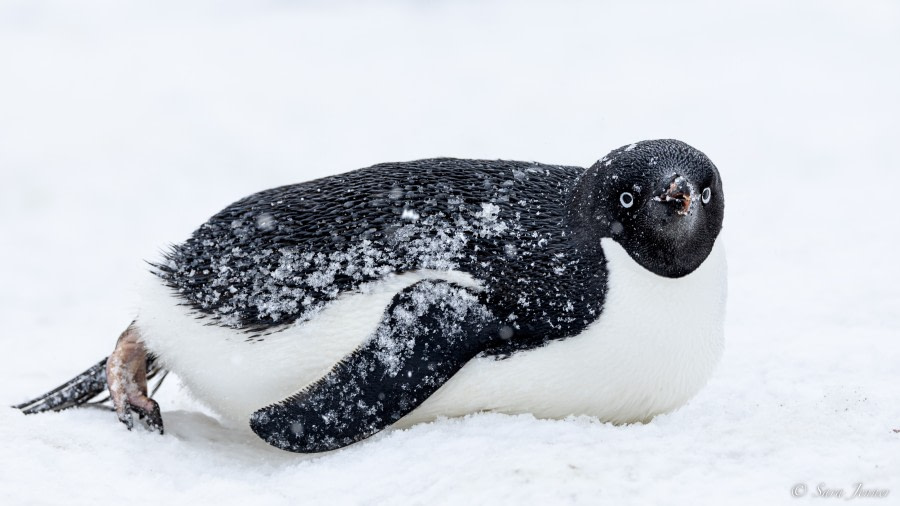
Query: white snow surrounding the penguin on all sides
x=124 y=125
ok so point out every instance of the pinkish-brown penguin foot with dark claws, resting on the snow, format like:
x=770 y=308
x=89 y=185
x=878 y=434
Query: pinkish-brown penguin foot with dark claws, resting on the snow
x=126 y=374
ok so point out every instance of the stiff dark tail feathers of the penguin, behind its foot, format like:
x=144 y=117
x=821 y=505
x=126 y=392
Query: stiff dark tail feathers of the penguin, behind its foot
x=86 y=389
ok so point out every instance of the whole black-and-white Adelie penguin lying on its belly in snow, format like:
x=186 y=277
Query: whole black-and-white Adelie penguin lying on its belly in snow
x=323 y=312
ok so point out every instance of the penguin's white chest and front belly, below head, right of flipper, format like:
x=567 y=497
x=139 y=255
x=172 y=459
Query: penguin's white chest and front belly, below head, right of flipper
x=654 y=346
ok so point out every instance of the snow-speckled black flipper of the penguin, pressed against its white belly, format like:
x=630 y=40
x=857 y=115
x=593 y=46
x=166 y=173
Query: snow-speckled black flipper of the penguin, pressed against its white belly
x=428 y=333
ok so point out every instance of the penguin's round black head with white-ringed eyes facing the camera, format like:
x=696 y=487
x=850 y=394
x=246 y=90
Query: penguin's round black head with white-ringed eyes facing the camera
x=662 y=200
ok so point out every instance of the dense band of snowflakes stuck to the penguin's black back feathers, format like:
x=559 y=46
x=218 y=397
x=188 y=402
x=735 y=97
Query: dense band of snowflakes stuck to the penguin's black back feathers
x=283 y=282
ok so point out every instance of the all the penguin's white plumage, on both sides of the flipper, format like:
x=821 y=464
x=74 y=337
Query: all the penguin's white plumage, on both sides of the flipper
x=654 y=346
